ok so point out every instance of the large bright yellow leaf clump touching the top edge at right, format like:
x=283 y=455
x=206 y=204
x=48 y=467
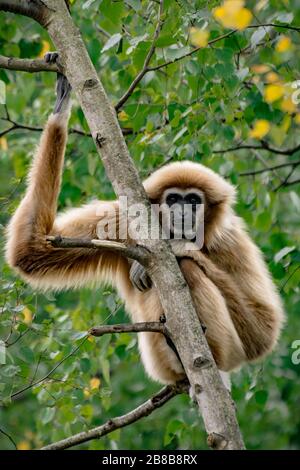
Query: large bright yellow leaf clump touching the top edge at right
x=232 y=14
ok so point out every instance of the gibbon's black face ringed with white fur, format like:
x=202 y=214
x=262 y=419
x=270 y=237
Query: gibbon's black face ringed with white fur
x=182 y=212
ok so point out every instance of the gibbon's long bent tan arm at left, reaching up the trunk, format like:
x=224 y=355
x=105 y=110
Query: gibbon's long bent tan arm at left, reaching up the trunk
x=27 y=249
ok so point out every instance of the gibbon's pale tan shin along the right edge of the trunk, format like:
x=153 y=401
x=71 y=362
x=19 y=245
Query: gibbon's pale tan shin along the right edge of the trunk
x=211 y=307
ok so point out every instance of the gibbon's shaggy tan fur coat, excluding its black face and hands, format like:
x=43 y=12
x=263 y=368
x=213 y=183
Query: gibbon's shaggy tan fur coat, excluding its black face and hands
x=229 y=282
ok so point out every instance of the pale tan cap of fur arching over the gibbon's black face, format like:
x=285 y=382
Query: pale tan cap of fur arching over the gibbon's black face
x=188 y=174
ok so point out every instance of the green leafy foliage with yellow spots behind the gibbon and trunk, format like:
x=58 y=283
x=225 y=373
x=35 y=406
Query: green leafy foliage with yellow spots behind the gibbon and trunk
x=205 y=103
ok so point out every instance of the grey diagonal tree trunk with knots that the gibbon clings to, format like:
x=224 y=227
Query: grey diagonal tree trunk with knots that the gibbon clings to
x=213 y=399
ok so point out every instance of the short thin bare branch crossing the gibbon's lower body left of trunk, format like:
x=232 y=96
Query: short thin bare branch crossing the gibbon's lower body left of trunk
x=157 y=327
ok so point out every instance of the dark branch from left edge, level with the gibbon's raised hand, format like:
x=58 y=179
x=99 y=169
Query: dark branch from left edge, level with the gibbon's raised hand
x=27 y=65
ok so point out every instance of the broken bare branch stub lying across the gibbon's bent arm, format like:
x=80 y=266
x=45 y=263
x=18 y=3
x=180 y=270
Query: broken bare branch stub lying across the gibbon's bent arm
x=138 y=253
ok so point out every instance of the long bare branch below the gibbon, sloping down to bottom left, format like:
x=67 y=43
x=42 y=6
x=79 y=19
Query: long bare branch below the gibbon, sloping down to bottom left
x=138 y=413
